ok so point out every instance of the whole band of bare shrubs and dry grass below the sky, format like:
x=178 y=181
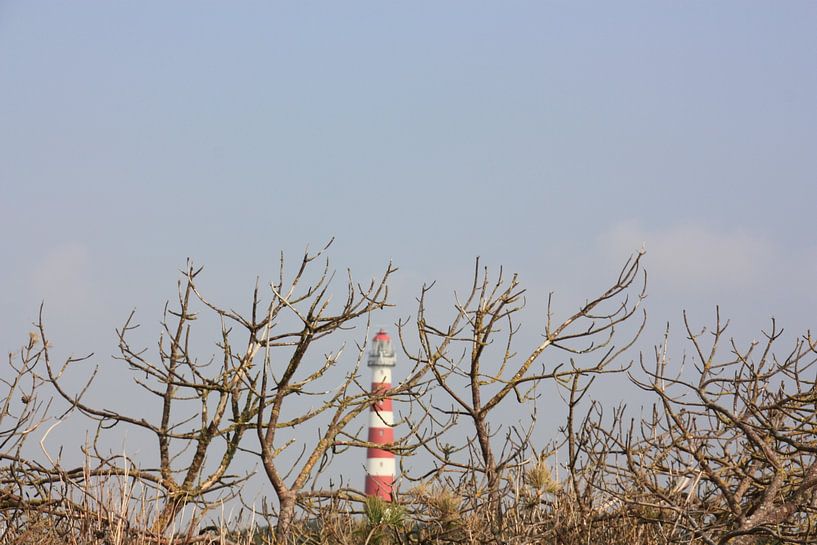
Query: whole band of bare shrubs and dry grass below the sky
x=724 y=455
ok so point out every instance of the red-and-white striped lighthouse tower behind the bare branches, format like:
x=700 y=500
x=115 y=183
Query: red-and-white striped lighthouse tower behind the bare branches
x=380 y=467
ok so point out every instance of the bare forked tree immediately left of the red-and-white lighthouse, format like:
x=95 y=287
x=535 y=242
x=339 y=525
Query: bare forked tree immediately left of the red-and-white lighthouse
x=290 y=371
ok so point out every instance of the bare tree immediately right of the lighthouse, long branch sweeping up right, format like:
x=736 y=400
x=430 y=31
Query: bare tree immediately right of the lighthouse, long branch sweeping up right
x=475 y=379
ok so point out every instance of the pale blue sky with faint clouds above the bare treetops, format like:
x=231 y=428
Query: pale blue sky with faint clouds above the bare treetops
x=552 y=137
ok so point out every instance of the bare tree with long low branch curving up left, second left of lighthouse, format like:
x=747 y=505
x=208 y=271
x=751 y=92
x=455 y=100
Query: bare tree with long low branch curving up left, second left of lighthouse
x=205 y=408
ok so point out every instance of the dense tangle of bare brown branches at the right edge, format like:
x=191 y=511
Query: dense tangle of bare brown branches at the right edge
x=727 y=454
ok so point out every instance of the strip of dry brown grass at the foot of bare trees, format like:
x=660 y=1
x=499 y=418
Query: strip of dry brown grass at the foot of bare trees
x=429 y=514
